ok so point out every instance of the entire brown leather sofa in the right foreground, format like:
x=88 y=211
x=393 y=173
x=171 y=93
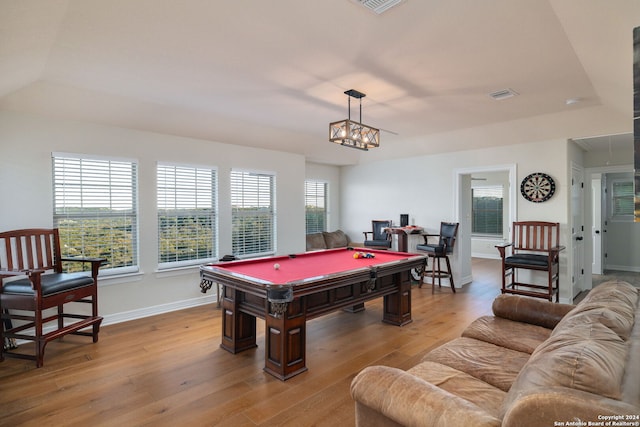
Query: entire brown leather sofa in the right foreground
x=533 y=363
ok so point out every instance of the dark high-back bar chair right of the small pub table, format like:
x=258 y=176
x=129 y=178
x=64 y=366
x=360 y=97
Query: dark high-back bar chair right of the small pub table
x=439 y=250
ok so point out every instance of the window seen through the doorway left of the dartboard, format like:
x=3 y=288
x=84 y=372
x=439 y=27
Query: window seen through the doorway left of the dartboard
x=487 y=208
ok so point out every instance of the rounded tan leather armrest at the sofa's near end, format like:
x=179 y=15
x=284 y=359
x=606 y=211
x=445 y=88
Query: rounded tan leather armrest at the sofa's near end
x=411 y=401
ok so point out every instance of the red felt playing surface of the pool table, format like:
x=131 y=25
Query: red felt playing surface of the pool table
x=306 y=266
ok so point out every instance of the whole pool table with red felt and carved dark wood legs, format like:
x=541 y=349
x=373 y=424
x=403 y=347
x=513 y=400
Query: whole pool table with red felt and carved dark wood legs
x=305 y=286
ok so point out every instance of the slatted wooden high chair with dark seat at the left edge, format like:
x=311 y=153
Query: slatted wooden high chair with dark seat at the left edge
x=32 y=257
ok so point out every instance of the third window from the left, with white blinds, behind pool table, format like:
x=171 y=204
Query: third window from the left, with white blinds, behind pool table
x=252 y=213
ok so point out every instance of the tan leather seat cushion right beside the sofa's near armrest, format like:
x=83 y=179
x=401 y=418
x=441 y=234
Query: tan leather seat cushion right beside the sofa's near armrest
x=461 y=384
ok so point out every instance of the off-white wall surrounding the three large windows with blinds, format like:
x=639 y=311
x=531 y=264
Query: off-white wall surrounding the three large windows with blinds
x=26 y=144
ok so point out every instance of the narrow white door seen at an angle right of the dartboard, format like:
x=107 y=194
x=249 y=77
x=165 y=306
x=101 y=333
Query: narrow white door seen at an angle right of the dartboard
x=577 y=230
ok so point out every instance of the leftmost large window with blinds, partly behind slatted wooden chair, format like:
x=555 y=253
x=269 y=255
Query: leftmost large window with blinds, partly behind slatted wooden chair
x=95 y=209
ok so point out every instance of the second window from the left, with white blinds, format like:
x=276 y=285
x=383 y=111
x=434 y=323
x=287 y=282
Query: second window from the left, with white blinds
x=187 y=221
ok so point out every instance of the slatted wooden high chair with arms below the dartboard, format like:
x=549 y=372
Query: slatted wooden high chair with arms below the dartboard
x=535 y=247
